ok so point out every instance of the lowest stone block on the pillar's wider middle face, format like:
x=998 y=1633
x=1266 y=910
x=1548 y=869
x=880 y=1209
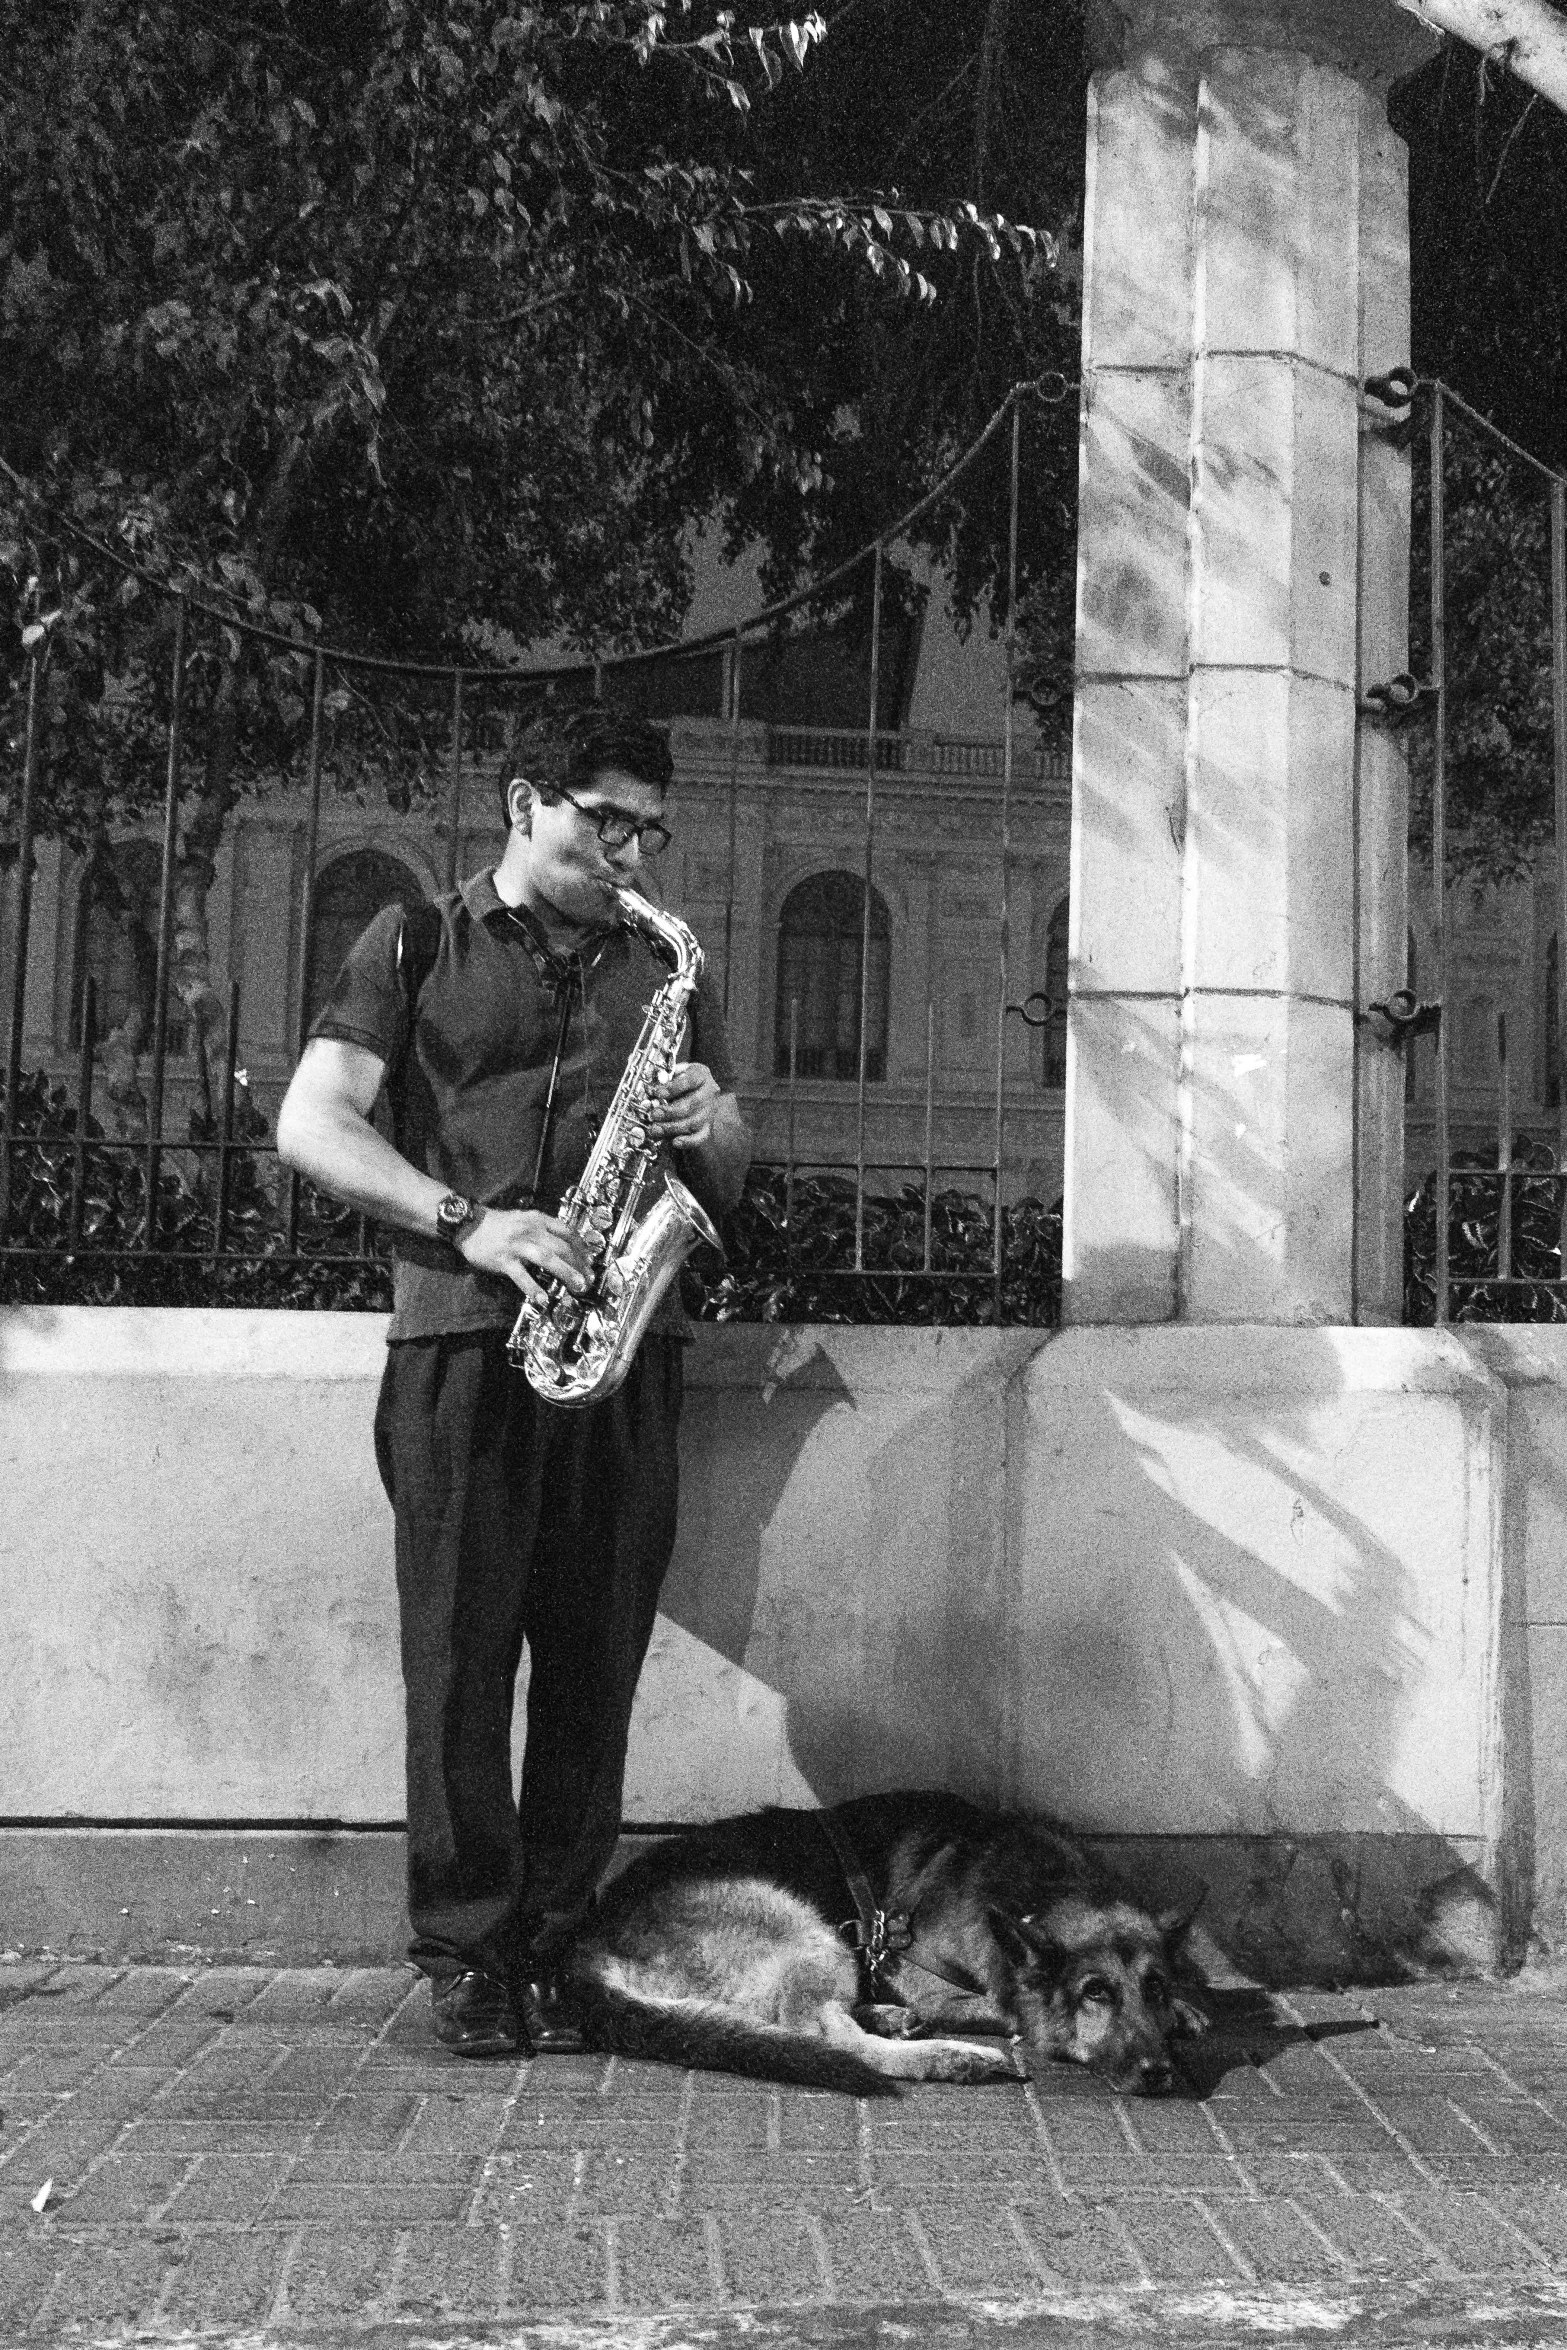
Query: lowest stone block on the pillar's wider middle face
x=1270 y=1169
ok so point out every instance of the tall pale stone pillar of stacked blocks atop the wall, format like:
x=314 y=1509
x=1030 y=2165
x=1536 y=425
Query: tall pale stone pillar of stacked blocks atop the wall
x=1246 y=264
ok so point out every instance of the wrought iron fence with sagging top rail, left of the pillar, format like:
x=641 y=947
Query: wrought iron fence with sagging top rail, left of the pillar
x=210 y=1216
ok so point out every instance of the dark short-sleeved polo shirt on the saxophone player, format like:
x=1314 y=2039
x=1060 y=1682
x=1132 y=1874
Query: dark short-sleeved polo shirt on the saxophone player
x=469 y=1075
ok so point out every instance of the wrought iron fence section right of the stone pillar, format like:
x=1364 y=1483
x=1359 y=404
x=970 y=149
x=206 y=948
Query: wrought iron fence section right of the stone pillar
x=1486 y=704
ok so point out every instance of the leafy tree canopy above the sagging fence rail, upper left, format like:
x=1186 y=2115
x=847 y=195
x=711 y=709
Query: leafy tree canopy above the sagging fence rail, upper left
x=410 y=328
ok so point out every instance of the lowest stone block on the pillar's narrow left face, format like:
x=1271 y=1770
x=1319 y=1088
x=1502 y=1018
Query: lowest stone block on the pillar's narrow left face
x=1122 y=1230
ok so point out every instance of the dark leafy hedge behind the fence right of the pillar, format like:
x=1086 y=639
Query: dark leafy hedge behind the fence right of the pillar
x=1474 y=1235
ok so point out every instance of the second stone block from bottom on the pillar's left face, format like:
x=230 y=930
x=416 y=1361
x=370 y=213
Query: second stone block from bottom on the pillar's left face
x=1129 y=810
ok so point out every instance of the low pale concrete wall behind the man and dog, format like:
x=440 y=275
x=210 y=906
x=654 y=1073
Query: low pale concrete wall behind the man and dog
x=1282 y=1611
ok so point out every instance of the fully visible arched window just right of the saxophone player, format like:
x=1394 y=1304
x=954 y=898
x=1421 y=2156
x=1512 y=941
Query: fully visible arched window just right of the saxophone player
x=821 y=939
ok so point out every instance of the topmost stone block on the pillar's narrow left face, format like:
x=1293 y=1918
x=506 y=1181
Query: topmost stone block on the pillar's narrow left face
x=1138 y=217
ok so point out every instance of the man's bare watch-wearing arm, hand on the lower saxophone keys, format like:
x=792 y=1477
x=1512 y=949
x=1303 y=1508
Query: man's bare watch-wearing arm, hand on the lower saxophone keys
x=325 y=1132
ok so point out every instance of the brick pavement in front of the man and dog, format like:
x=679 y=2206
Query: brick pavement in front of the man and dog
x=285 y=2156
